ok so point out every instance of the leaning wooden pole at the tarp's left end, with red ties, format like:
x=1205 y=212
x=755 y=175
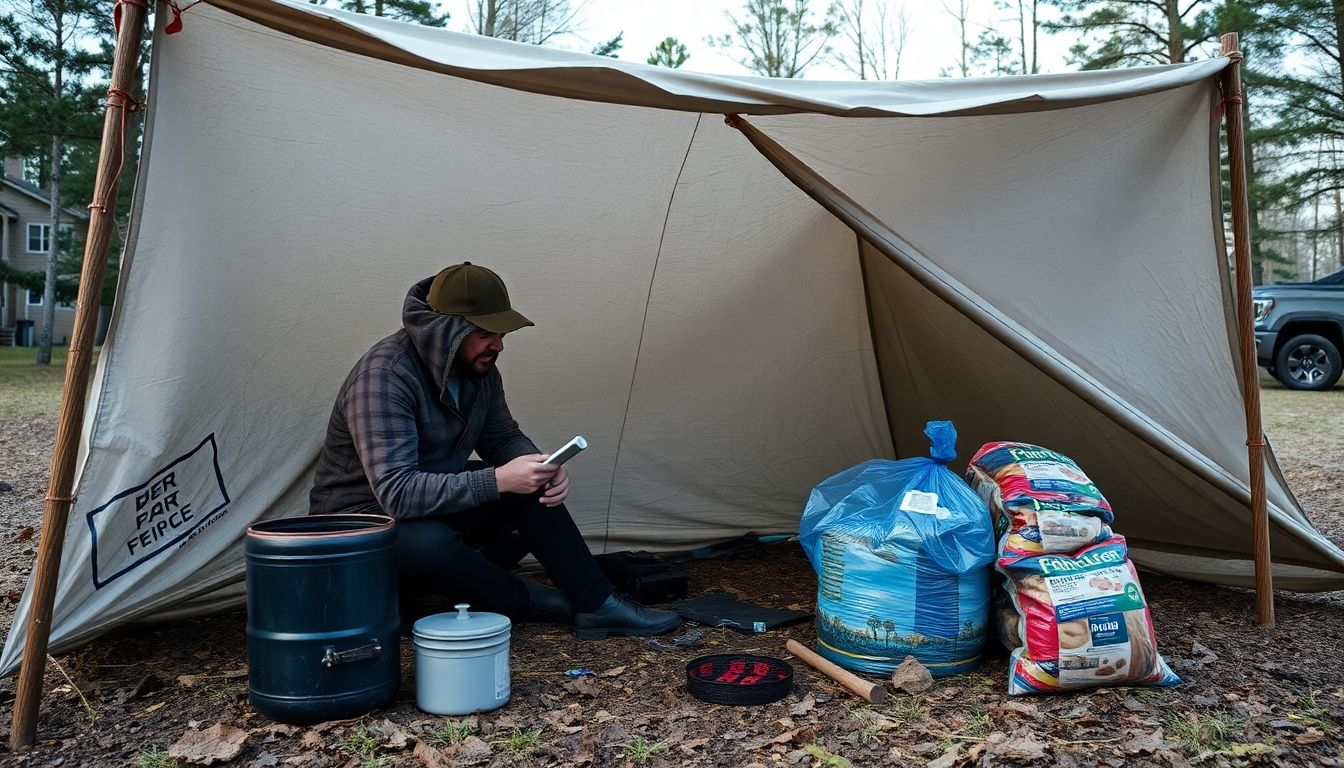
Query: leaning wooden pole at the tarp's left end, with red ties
x=25 y=724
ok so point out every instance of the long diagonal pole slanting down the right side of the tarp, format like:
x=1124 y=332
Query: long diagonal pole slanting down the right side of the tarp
x=1033 y=349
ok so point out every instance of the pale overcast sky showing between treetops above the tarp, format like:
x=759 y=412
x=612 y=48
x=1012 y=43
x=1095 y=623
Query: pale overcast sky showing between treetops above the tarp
x=932 y=46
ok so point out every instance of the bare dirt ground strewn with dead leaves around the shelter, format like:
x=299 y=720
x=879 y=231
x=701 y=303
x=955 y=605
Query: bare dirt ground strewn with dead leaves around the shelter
x=1251 y=696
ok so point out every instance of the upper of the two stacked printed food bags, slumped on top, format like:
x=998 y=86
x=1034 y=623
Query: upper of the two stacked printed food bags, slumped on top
x=1041 y=501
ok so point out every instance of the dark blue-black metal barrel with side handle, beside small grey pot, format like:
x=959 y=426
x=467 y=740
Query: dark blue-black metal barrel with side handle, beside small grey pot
x=323 y=629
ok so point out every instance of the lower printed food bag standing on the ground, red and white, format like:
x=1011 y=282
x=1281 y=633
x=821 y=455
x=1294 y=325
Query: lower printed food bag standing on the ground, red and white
x=1081 y=621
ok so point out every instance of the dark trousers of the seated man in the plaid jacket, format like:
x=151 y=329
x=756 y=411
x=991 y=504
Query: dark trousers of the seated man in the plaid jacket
x=466 y=558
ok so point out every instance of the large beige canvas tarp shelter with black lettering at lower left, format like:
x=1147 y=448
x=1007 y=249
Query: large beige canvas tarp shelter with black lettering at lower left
x=728 y=315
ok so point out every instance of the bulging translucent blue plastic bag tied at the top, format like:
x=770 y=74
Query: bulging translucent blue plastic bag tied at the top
x=902 y=552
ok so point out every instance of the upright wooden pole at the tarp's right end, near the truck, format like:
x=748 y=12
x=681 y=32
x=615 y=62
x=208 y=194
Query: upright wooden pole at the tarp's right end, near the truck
x=1247 y=329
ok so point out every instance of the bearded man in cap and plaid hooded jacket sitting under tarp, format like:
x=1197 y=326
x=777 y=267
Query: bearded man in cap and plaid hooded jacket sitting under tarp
x=398 y=442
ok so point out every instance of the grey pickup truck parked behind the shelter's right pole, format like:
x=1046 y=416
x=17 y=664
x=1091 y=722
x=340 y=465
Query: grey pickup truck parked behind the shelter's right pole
x=1300 y=332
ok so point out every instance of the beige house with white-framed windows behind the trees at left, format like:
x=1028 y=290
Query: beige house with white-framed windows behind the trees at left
x=25 y=235
